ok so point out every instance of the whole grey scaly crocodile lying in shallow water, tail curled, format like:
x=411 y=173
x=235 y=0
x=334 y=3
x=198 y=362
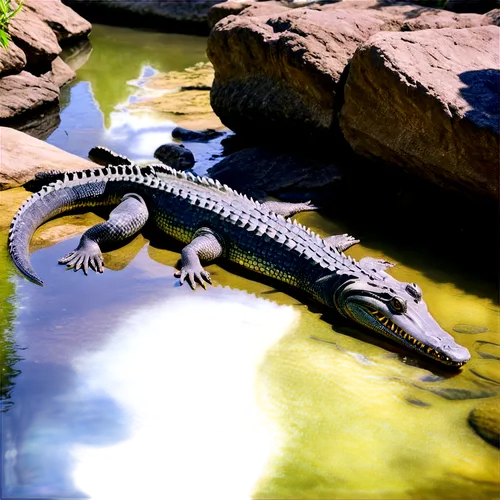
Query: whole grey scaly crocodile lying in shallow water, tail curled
x=213 y=221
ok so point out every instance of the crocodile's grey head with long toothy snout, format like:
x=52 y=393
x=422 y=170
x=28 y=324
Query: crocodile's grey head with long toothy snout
x=397 y=310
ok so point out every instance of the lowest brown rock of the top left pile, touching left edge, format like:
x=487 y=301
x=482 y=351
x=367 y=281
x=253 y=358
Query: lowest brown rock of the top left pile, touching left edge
x=25 y=92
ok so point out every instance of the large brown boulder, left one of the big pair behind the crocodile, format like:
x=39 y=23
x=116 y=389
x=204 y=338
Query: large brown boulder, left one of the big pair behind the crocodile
x=280 y=75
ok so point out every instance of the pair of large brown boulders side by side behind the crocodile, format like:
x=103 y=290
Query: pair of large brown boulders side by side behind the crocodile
x=398 y=84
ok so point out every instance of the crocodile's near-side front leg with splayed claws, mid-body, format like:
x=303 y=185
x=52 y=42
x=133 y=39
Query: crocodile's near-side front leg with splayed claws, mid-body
x=205 y=246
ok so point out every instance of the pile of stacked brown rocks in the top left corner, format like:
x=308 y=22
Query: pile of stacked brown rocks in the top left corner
x=31 y=70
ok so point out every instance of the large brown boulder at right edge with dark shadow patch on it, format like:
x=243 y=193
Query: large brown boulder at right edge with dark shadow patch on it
x=444 y=82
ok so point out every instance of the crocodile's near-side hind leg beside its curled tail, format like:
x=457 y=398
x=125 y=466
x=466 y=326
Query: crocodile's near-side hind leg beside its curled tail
x=128 y=218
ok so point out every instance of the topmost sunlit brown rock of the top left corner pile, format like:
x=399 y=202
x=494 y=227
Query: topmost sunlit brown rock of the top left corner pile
x=64 y=21
